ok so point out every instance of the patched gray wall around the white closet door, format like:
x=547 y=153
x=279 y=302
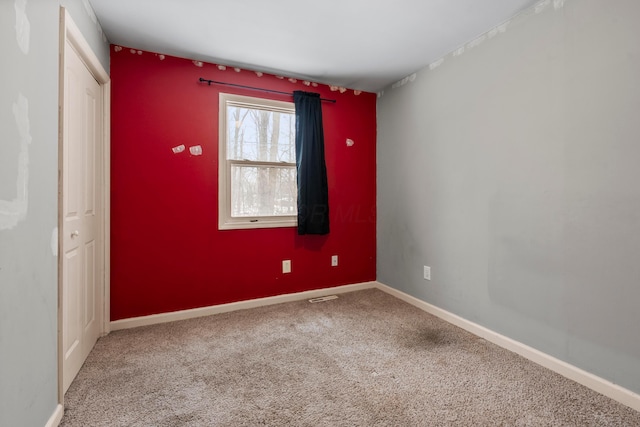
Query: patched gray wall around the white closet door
x=29 y=203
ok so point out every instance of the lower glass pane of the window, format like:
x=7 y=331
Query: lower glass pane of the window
x=263 y=191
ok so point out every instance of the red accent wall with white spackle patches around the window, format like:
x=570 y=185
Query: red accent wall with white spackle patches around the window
x=167 y=253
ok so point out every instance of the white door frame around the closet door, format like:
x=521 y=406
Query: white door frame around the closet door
x=70 y=33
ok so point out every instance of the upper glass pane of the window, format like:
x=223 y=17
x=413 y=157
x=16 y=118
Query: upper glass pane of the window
x=260 y=135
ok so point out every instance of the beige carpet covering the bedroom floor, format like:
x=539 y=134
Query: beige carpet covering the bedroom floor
x=365 y=359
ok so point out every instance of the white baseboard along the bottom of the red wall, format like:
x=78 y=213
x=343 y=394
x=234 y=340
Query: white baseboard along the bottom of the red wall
x=135 y=322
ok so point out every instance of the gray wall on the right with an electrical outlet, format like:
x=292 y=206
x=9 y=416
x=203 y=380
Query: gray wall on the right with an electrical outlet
x=512 y=169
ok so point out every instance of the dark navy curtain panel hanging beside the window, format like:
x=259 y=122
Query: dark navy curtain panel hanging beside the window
x=313 y=192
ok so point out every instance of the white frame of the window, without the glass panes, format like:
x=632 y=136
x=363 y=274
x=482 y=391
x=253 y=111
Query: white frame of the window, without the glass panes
x=225 y=220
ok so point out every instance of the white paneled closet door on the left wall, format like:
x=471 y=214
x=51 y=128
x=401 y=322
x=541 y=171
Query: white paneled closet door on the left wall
x=81 y=233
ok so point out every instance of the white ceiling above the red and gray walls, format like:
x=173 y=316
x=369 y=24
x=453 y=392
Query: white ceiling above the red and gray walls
x=359 y=44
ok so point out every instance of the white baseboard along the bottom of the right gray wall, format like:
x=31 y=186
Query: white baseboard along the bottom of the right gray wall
x=602 y=386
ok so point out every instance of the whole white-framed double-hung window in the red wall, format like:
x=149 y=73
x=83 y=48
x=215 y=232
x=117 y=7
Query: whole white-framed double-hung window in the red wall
x=257 y=169
